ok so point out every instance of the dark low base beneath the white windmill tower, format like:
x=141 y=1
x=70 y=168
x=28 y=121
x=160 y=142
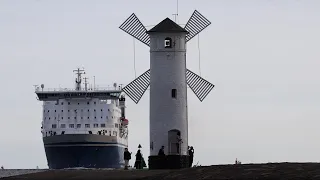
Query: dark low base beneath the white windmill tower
x=169 y=162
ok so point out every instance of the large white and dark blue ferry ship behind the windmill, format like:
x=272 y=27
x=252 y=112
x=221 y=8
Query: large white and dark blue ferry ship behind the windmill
x=83 y=127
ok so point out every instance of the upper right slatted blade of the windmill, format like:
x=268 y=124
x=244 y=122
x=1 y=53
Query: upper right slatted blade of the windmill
x=196 y=24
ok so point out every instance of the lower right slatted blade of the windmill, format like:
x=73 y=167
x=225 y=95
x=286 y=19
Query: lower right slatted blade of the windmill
x=198 y=85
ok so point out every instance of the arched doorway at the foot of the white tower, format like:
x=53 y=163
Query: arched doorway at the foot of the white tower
x=174 y=142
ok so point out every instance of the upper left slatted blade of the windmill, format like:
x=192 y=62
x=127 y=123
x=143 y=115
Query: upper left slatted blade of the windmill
x=135 y=28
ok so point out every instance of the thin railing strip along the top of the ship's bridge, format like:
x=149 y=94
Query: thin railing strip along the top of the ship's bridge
x=75 y=90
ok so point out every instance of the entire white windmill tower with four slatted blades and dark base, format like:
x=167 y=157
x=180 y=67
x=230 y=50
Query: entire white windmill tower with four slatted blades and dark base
x=168 y=78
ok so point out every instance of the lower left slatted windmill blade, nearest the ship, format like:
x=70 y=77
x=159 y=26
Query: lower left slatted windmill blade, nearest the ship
x=138 y=87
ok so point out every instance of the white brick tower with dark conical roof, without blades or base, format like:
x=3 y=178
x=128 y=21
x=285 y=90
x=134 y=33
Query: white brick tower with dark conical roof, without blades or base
x=168 y=89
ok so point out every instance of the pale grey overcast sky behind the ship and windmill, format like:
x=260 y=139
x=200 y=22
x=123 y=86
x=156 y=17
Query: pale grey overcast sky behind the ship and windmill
x=262 y=56
